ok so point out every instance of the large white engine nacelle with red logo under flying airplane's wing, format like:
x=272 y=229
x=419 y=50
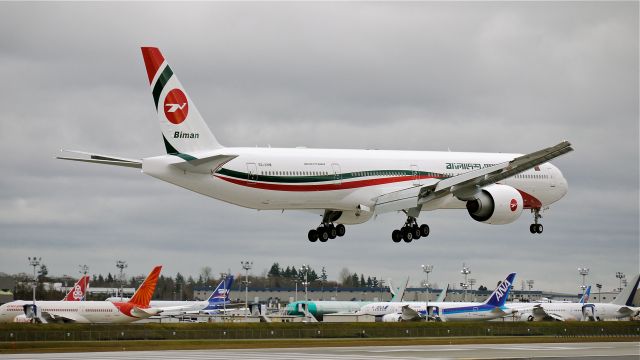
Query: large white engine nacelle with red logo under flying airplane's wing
x=497 y=205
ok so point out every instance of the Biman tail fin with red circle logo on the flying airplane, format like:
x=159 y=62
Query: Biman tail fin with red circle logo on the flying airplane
x=183 y=128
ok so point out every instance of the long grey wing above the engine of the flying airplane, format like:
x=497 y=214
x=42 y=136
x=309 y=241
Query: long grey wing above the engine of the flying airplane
x=466 y=185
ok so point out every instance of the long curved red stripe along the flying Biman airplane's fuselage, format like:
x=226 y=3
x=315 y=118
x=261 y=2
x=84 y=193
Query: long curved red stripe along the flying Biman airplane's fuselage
x=321 y=187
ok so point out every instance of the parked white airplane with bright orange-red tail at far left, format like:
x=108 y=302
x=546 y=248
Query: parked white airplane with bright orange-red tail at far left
x=85 y=311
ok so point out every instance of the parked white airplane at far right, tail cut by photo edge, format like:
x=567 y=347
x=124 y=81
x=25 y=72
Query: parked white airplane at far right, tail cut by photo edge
x=621 y=307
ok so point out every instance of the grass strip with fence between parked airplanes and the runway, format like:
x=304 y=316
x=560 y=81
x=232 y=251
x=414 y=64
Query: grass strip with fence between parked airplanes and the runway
x=33 y=338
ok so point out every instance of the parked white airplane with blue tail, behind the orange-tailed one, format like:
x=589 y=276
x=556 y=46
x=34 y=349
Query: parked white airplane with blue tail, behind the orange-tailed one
x=214 y=304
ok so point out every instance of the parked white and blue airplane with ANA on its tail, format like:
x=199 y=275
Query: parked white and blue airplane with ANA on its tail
x=493 y=308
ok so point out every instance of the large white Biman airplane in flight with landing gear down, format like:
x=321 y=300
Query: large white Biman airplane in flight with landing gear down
x=345 y=186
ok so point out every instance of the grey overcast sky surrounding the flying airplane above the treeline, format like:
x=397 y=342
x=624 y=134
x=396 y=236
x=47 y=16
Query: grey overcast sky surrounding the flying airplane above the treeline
x=486 y=77
